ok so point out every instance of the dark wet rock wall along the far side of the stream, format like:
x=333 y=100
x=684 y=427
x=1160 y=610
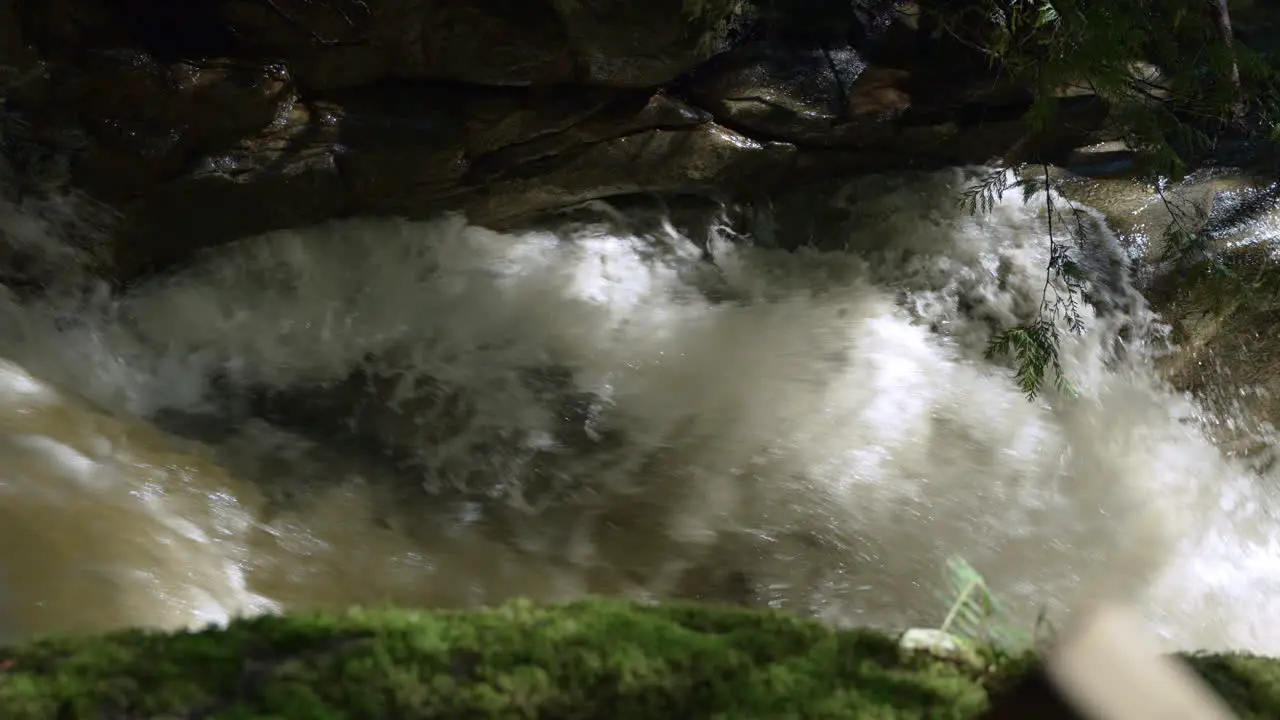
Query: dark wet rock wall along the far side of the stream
x=208 y=121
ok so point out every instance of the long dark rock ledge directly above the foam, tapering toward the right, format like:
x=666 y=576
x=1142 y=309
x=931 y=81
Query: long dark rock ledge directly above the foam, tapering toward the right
x=418 y=156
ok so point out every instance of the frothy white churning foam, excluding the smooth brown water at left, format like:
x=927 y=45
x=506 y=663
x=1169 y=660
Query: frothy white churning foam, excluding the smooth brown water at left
x=834 y=431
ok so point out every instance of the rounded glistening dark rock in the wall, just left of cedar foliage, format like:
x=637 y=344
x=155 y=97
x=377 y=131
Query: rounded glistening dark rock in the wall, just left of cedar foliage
x=833 y=97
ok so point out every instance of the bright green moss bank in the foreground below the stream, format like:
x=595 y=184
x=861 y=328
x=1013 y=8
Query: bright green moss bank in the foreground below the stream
x=587 y=660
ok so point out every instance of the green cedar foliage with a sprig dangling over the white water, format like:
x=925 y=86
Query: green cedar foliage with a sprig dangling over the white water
x=1182 y=88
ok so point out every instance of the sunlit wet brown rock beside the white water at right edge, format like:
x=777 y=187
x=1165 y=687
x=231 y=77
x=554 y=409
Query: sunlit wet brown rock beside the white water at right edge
x=1222 y=313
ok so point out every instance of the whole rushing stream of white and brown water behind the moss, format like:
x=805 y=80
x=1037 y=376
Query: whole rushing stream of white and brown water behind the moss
x=438 y=414
